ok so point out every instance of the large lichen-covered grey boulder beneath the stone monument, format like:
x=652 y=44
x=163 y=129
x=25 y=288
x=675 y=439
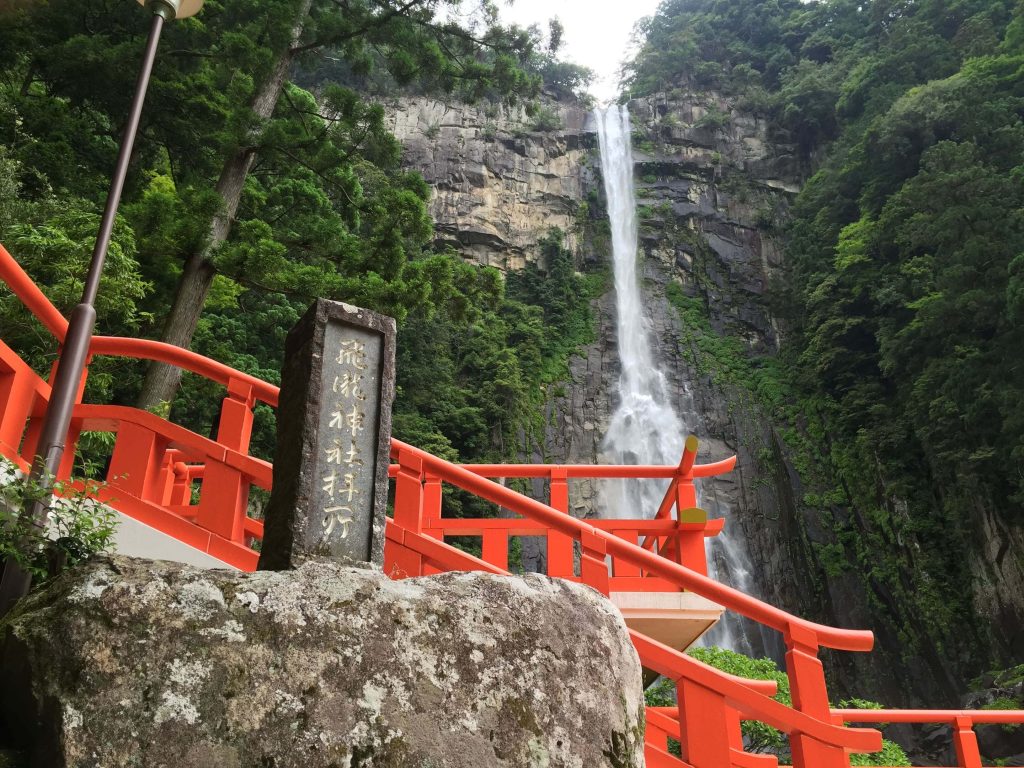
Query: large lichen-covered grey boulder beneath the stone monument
x=136 y=663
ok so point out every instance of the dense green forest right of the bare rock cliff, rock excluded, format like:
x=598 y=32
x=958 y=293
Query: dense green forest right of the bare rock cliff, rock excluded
x=901 y=383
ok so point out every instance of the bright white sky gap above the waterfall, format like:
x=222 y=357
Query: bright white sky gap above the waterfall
x=598 y=32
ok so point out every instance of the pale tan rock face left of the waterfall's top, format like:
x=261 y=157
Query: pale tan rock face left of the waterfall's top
x=501 y=179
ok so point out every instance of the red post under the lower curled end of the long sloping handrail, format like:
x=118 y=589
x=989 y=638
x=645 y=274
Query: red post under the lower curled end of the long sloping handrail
x=810 y=696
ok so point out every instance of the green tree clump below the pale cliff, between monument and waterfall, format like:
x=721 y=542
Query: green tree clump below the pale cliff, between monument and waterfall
x=490 y=354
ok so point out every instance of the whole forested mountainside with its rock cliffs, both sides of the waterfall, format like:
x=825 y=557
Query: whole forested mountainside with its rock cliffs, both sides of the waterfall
x=831 y=199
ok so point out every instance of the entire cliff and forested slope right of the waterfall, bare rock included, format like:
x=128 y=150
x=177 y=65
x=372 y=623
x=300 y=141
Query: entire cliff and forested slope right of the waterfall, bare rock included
x=877 y=350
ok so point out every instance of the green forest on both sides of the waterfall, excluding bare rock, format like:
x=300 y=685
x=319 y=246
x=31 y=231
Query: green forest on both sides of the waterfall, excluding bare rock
x=265 y=177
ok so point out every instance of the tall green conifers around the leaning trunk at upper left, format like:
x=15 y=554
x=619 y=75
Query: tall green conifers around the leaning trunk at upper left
x=239 y=173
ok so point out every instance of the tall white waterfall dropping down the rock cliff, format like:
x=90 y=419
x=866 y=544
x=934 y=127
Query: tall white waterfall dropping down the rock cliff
x=646 y=428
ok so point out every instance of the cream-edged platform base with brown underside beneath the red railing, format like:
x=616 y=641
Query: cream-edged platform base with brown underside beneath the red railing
x=675 y=619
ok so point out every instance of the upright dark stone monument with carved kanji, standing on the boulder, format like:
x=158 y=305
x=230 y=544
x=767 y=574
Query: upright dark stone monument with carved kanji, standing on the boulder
x=334 y=433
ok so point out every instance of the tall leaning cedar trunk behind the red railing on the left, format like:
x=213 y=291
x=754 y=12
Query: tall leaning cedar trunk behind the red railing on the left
x=162 y=380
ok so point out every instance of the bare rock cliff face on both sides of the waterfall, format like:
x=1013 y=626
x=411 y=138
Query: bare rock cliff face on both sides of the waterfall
x=709 y=190
